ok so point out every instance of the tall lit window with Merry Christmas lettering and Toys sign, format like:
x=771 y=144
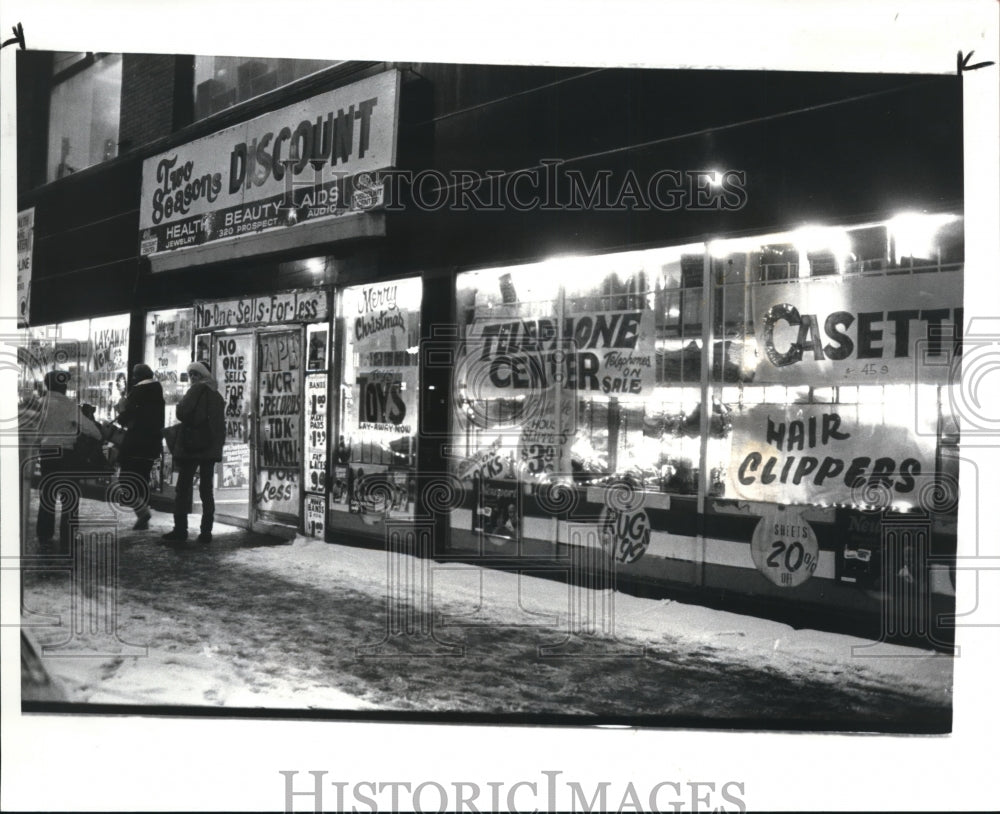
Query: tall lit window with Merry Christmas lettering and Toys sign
x=375 y=450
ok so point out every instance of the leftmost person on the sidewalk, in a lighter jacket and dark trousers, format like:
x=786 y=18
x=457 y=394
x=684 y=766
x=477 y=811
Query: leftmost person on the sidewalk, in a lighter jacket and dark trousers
x=61 y=425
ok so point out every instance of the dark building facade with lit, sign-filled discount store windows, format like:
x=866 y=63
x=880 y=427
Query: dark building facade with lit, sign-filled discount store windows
x=691 y=329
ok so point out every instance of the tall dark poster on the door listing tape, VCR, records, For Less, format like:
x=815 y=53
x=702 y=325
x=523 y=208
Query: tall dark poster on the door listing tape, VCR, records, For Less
x=279 y=417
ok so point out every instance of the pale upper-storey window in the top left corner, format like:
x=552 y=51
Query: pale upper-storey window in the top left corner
x=83 y=112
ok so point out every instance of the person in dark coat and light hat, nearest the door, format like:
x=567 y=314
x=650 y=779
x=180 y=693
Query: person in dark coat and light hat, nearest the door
x=197 y=449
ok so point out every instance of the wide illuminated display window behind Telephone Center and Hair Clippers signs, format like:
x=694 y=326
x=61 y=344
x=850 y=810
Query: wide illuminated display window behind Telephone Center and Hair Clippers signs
x=589 y=370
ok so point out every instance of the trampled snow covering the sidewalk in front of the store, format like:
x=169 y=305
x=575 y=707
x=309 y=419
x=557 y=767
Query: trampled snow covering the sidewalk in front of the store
x=313 y=625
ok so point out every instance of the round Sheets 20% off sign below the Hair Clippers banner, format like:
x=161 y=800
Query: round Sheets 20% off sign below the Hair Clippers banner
x=784 y=547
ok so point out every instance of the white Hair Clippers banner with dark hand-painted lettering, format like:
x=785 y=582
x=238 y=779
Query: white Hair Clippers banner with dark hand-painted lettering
x=825 y=453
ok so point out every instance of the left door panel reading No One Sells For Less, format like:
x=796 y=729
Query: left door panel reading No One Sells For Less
x=233 y=368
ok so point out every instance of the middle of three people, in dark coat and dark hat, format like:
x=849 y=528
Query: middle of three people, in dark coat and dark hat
x=141 y=413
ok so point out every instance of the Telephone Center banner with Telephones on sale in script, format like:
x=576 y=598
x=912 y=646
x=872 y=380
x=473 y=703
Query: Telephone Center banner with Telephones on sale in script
x=607 y=352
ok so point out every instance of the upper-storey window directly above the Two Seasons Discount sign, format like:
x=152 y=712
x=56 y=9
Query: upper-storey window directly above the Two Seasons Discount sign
x=221 y=82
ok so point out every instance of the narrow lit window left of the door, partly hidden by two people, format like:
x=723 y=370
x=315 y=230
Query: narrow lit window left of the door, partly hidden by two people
x=167 y=350
